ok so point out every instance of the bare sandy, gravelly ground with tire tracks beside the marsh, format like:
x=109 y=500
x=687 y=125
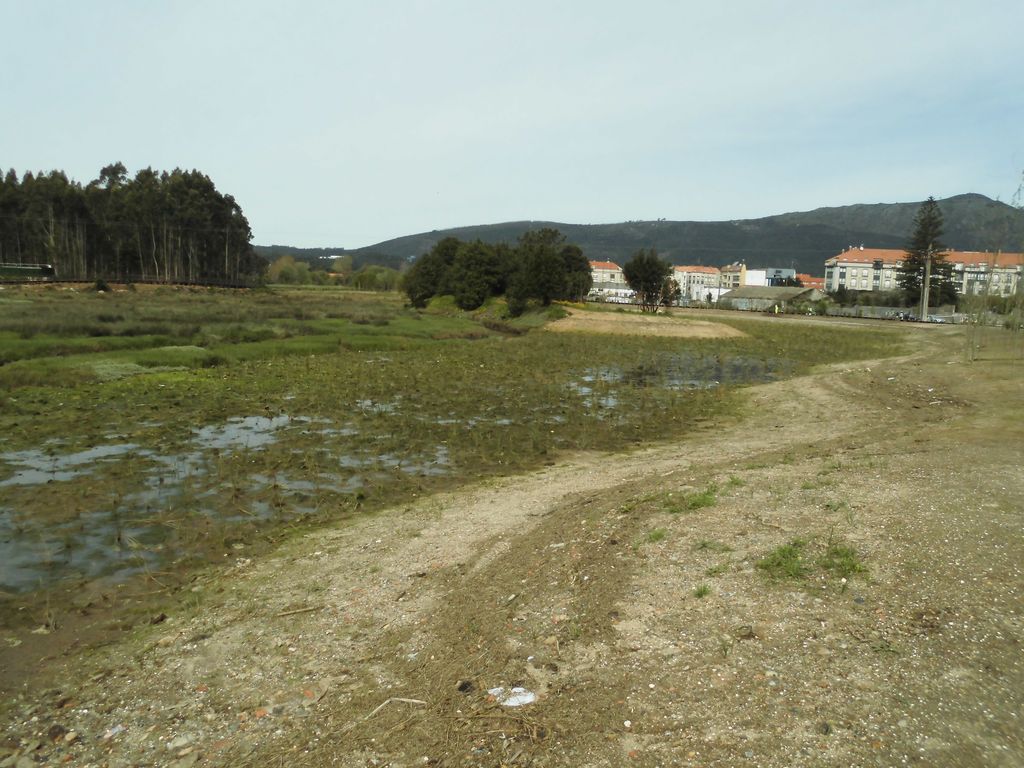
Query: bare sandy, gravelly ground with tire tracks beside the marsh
x=623 y=592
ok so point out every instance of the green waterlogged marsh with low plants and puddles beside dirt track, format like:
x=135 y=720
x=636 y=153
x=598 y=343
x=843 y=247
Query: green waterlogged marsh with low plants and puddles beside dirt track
x=146 y=431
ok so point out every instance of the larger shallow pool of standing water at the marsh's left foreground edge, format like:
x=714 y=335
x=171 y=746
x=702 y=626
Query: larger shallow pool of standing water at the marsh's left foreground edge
x=131 y=535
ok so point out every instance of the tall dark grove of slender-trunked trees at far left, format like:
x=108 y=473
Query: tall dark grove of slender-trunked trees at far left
x=156 y=226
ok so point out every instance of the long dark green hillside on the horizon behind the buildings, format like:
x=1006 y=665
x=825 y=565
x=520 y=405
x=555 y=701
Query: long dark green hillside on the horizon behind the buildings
x=801 y=241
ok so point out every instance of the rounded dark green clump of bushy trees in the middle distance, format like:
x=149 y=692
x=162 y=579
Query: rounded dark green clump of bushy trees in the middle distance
x=541 y=268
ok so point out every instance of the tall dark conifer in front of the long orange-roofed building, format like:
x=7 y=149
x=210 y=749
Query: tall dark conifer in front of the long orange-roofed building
x=926 y=243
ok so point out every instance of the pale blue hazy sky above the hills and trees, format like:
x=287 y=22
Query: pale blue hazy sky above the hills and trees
x=344 y=123
